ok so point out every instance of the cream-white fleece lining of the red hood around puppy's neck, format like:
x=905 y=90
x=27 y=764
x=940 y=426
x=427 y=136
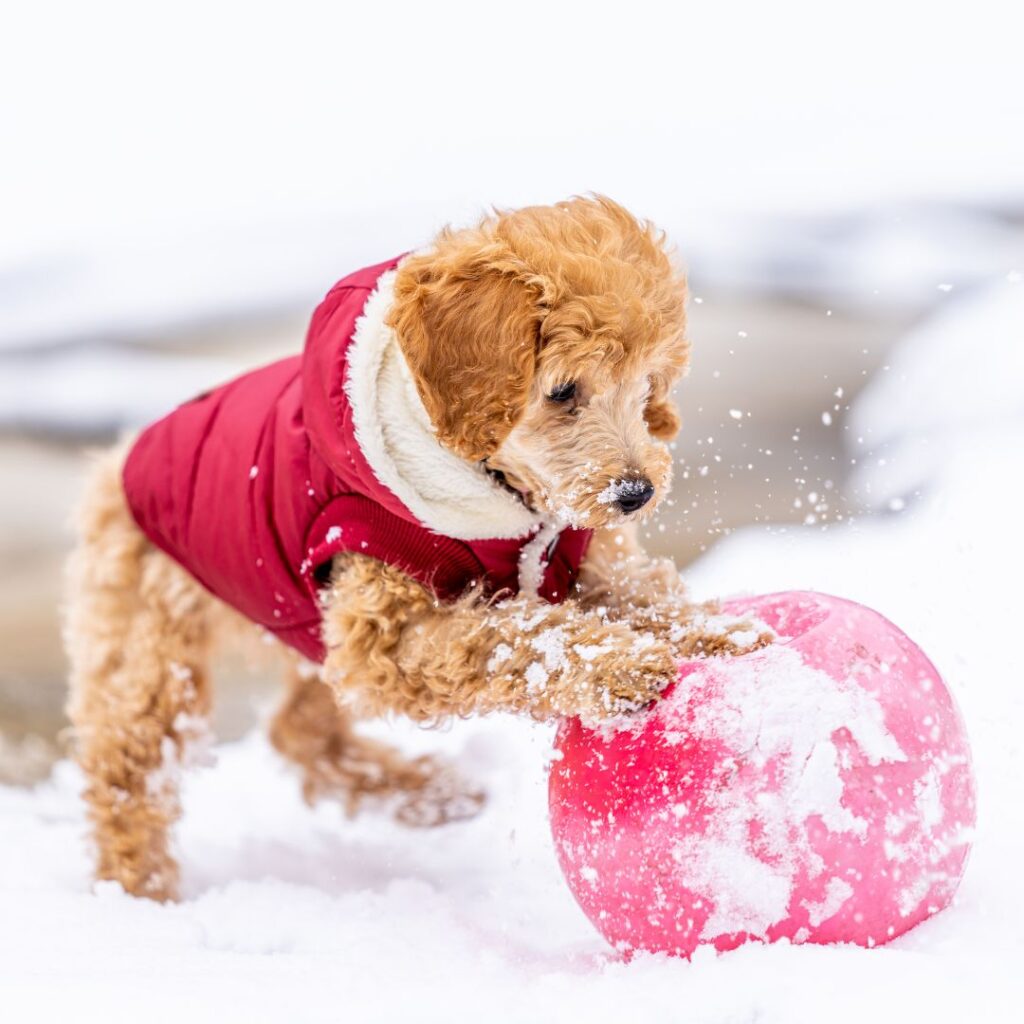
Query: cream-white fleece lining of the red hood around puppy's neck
x=446 y=494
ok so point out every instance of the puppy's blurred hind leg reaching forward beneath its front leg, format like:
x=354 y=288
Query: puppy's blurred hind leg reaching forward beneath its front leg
x=314 y=732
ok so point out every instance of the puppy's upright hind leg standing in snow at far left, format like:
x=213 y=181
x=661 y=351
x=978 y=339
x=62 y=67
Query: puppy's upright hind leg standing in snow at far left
x=137 y=637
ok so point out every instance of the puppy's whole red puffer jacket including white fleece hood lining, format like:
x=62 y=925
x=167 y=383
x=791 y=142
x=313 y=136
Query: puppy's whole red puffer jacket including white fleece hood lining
x=254 y=487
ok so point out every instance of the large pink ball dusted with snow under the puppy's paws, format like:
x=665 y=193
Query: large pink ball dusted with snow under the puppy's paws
x=819 y=790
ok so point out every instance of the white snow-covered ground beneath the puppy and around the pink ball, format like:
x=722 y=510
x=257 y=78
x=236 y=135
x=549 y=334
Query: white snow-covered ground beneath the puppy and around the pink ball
x=293 y=914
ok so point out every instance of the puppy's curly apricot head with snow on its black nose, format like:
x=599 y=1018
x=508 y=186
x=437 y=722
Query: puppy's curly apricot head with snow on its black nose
x=546 y=343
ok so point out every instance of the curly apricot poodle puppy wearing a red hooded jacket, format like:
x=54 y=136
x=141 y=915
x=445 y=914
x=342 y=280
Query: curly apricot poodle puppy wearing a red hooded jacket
x=433 y=511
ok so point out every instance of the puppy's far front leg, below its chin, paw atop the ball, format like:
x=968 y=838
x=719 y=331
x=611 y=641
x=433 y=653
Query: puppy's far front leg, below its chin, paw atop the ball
x=622 y=580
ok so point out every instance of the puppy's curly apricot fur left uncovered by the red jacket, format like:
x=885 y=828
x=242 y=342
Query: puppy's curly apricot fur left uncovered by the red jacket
x=492 y=321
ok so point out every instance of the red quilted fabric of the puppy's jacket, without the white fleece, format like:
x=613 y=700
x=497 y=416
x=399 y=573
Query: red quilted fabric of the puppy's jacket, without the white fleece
x=254 y=488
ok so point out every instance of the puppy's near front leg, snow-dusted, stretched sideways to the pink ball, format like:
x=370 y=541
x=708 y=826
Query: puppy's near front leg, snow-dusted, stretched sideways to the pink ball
x=392 y=647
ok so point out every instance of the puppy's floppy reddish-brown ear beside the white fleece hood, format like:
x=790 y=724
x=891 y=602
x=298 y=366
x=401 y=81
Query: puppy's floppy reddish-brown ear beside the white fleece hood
x=470 y=328
